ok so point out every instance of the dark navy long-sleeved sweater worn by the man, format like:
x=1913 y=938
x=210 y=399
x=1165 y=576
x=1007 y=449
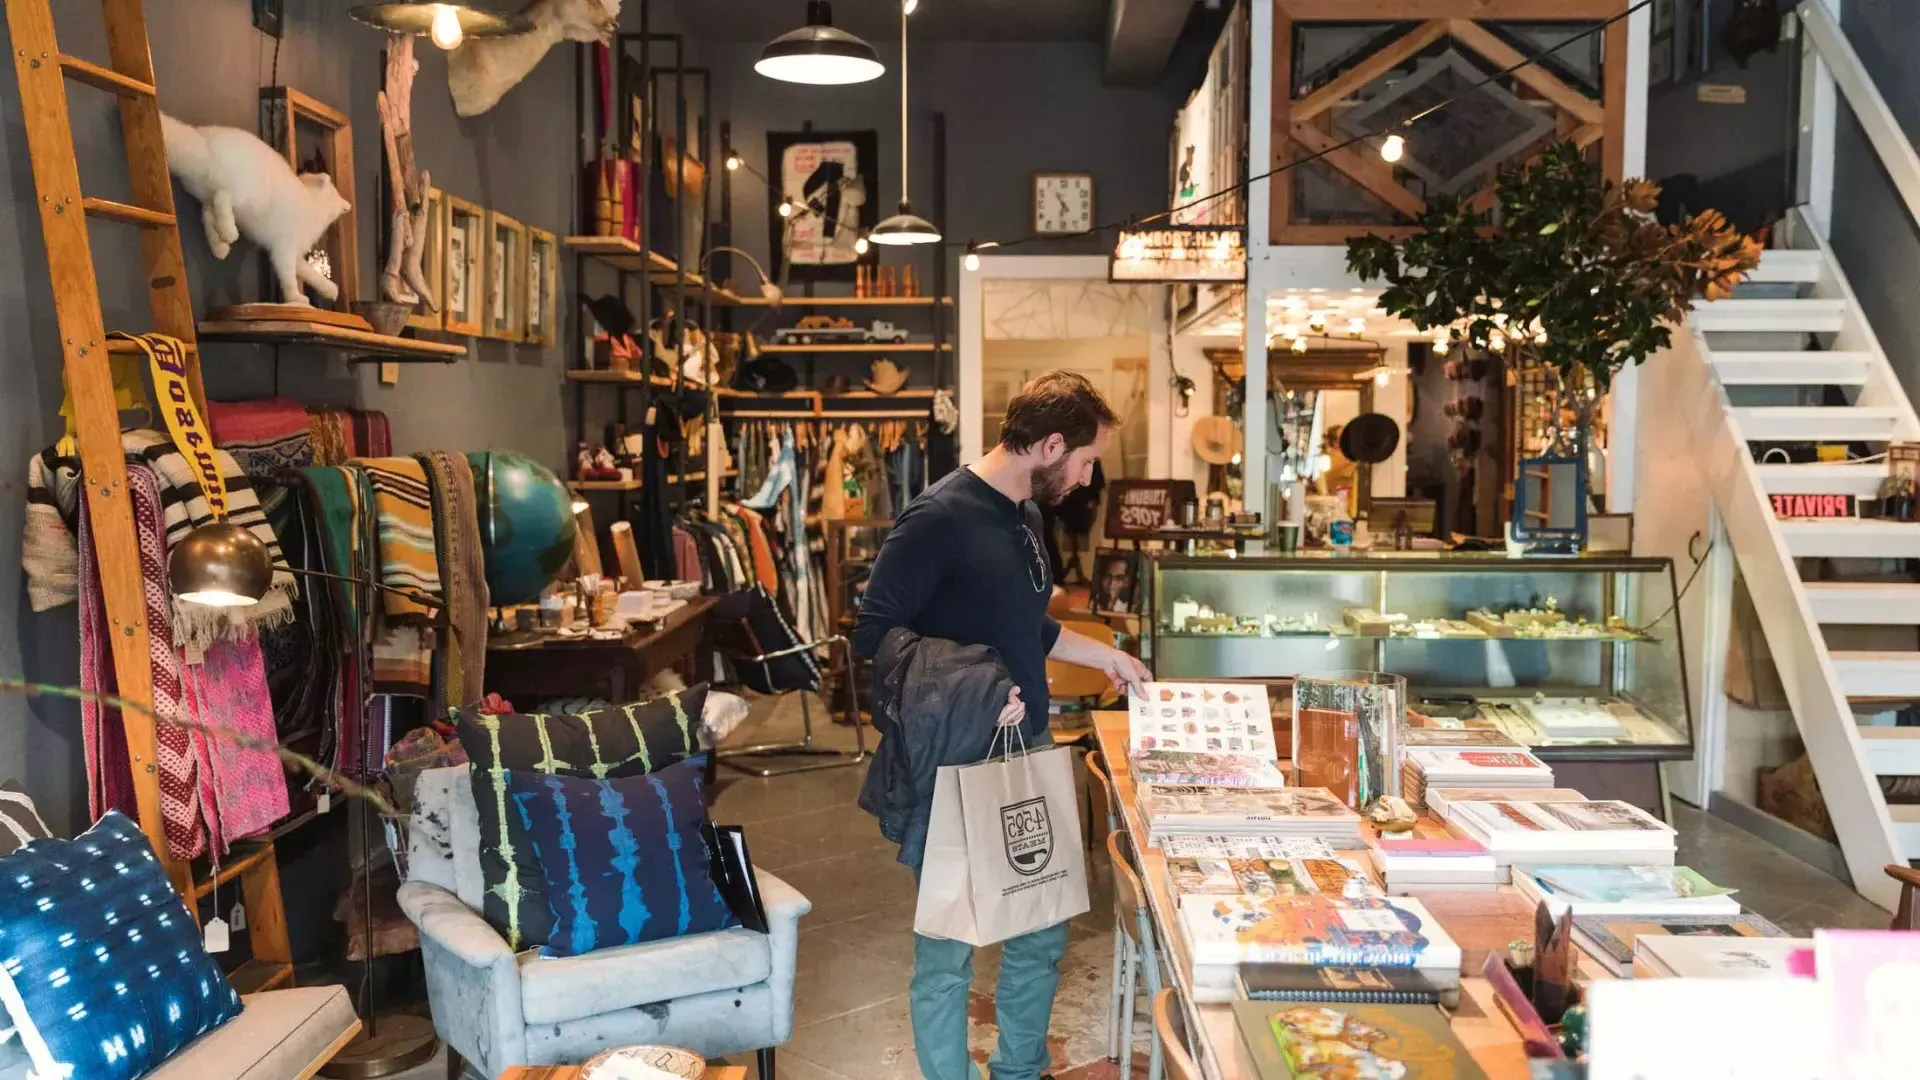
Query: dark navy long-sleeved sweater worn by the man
x=967 y=564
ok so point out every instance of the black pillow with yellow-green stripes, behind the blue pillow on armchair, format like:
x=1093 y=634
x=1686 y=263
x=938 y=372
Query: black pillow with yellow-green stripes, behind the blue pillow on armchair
x=625 y=741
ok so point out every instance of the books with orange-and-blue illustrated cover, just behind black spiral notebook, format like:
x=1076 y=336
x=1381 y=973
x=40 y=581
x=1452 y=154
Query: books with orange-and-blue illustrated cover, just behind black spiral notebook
x=1322 y=948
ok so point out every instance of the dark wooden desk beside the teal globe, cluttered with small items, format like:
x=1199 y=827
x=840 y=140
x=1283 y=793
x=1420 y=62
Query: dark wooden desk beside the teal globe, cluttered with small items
x=537 y=666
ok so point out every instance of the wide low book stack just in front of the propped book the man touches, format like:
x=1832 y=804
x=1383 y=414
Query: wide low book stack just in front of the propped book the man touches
x=1197 y=810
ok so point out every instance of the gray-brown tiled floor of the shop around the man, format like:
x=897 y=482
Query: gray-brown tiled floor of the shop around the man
x=855 y=962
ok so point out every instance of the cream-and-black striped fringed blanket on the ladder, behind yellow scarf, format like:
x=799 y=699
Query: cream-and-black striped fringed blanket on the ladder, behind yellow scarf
x=185 y=508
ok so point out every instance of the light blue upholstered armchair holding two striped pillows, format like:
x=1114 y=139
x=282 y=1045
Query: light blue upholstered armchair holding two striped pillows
x=715 y=994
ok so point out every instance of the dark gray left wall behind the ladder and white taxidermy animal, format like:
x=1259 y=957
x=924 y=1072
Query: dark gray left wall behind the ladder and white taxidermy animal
x=210 y=64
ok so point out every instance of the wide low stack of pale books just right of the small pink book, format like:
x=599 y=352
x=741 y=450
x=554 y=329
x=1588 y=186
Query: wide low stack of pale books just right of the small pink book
x=1593 y=833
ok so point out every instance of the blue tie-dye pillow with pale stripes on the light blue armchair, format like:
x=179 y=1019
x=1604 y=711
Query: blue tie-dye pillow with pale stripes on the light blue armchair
x=623 y=860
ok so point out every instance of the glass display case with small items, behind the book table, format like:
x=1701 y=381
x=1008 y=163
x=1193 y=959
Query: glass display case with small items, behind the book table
x=1579 y=658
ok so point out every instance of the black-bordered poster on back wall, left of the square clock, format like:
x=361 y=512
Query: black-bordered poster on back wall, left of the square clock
x=830 y=180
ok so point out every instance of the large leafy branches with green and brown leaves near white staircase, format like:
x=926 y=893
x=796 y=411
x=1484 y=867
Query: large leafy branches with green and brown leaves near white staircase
x=1568 y=272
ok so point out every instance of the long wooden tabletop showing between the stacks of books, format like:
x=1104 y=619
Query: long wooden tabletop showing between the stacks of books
x=1477 y=921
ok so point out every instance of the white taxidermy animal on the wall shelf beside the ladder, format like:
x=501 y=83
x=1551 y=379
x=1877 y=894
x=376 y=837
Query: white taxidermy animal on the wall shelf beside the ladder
x=247 y=187
